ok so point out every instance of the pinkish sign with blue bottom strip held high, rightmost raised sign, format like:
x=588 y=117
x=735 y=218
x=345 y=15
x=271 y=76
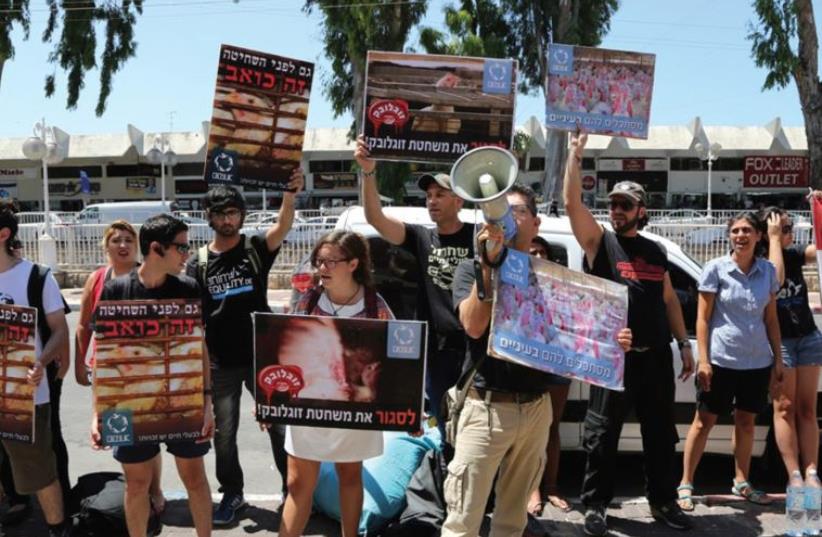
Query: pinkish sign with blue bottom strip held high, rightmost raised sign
x=599 y=91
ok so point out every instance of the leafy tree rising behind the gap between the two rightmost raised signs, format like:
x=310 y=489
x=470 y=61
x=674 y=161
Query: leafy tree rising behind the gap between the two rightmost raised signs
x=524 y=28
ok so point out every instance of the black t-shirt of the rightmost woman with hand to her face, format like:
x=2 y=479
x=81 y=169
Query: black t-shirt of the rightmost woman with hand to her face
x=795 y=316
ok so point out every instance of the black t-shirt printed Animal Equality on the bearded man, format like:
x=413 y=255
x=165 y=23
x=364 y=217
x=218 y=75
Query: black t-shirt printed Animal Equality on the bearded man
x=230 y=293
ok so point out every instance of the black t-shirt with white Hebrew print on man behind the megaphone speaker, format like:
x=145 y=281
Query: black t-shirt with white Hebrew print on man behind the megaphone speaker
x=438 y=256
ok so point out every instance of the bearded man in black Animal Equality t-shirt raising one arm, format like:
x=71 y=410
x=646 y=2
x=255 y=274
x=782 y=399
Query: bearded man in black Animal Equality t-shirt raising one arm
x=233 y=274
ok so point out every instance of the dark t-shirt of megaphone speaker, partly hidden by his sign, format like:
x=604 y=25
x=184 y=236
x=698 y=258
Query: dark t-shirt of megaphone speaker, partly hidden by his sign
x=494 y=374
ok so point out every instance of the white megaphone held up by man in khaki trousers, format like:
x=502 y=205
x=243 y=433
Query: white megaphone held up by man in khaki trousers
x=483 y=176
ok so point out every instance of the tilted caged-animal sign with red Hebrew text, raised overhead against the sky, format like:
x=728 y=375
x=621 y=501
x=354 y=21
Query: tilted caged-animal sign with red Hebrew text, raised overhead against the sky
x=258 y=121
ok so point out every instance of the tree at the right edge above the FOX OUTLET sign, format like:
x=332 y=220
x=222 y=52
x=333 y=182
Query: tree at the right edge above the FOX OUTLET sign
x=785 y=43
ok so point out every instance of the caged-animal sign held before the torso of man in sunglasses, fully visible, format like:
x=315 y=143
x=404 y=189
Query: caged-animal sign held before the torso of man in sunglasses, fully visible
x=148 y=371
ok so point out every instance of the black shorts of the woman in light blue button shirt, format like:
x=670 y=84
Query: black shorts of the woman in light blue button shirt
x=743 y=389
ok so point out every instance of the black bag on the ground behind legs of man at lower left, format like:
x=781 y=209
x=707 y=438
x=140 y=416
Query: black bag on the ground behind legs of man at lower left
x=100 y=509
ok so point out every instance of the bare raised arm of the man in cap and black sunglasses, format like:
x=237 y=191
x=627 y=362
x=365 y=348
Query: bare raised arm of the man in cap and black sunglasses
x=586 y=229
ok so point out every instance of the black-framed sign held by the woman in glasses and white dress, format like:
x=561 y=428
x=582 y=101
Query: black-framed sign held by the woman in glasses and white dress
x=339 y=372
